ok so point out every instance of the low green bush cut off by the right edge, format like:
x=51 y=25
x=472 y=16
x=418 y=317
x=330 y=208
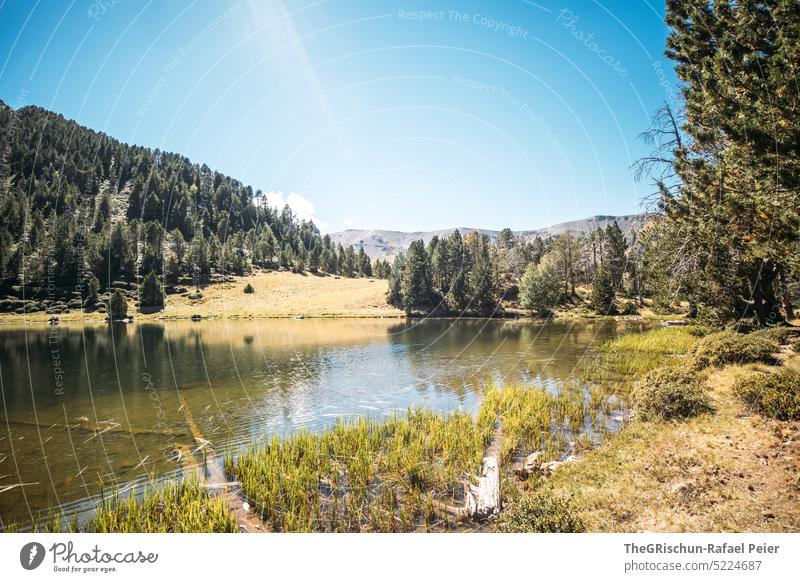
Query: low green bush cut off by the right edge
x=775 y=395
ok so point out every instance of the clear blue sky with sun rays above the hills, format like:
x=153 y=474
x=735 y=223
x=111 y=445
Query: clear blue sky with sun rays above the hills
x=409 y=115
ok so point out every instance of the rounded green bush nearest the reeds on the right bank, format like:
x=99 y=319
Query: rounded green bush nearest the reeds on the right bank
x=671 y=392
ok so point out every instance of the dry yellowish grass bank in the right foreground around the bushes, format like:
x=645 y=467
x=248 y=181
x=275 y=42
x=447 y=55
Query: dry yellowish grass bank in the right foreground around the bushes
x=729 y=471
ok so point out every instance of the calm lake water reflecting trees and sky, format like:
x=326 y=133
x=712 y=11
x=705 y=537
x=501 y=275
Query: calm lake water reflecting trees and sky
x=119 y=404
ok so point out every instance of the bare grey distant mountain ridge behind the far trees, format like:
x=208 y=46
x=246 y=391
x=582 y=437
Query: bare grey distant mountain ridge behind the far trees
x=385 y=244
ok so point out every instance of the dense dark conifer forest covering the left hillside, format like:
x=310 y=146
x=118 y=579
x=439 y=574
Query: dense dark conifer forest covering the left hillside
x=81 y=210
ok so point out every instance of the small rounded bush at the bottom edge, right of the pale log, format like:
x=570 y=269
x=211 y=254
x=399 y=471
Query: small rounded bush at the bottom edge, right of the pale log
x=540 y=513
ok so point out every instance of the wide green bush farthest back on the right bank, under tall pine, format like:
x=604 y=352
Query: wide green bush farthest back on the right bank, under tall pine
x=730 y=347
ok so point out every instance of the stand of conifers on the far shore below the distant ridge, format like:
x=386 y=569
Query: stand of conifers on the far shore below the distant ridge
x=472 y=274
